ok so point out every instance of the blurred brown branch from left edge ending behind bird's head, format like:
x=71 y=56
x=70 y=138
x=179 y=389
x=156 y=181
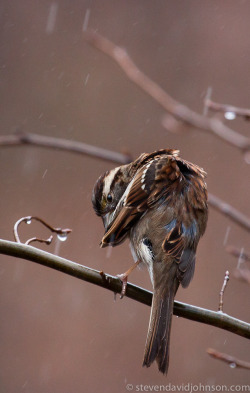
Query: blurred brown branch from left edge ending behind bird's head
x=21 y=138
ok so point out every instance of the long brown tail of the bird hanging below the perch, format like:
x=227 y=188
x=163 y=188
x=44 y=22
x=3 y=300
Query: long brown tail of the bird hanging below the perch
x=157 y=343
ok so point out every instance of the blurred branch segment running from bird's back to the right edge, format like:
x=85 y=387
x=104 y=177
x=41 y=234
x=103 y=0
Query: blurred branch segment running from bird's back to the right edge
x=229 y=211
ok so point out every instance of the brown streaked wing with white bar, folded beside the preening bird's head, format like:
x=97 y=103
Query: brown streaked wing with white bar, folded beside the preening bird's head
x=152 y=181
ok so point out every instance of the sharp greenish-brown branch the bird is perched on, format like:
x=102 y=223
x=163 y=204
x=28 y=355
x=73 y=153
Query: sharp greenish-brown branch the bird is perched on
x=112 y=283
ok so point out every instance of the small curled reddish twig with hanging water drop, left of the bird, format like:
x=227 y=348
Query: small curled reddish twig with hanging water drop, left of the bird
x=61 y=233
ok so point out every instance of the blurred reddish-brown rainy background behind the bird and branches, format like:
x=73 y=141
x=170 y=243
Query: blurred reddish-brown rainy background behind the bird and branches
x=59 y=334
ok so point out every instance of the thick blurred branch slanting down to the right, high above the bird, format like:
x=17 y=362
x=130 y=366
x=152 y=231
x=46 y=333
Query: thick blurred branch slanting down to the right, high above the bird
x=172 y=106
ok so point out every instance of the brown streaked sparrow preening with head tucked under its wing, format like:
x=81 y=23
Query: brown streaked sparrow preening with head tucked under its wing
x=158 y=202
